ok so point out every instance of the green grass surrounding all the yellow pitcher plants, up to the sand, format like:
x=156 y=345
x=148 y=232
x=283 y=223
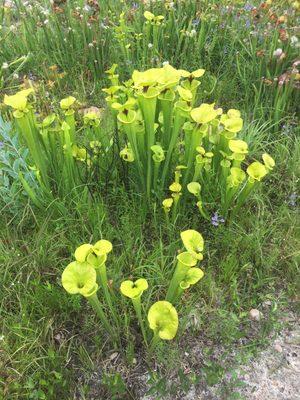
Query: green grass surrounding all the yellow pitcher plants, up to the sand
x=51 y=344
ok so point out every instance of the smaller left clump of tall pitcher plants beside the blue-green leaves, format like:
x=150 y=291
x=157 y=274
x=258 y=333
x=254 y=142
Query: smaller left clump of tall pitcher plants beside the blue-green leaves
x=63 y=168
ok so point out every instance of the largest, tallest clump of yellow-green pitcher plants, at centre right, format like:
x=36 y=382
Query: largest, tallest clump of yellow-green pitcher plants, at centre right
x=163 y=131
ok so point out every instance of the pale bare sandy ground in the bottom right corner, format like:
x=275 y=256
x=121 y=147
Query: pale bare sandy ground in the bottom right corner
x=273 y=375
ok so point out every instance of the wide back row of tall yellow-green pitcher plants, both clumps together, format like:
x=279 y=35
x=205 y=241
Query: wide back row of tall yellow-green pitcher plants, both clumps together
x=161 y=132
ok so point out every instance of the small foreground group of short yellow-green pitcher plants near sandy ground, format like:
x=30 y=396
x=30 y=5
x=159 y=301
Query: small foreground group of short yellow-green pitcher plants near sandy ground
x=87 y=275
